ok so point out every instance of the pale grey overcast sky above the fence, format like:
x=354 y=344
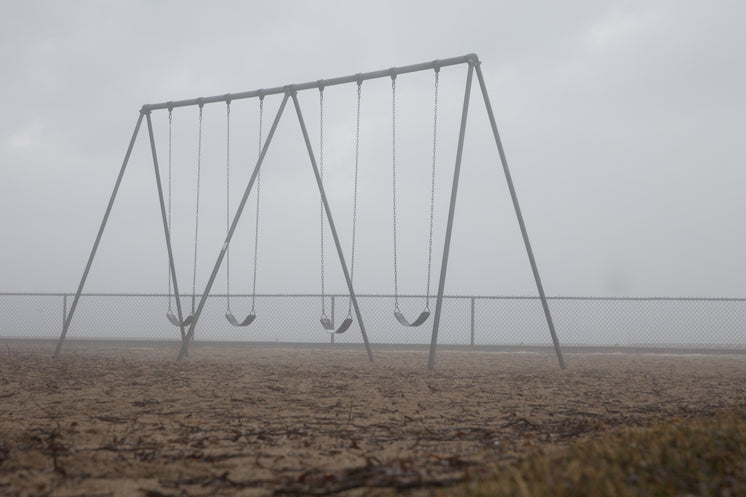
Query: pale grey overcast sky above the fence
x=623 y=124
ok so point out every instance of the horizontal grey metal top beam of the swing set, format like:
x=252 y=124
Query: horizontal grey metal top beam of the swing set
x=322 y=83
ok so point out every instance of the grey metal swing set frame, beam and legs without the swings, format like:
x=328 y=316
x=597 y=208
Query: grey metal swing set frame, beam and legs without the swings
x=289 y=92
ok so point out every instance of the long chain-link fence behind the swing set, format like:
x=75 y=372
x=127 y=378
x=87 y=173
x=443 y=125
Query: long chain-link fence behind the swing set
x=466 y=320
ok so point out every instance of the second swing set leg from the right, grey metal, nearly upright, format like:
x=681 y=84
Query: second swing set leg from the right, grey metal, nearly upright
x=451 y=211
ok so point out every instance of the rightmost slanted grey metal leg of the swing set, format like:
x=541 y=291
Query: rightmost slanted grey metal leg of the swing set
x=519 y=216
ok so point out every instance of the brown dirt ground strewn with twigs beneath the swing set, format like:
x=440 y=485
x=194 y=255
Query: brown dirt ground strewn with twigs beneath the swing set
x=123 y=419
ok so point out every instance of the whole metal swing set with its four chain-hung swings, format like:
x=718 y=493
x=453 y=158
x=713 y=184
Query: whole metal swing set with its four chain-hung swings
x=188 y=323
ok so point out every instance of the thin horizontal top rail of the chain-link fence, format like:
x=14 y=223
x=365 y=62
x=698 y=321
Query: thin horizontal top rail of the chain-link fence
x=384 y=295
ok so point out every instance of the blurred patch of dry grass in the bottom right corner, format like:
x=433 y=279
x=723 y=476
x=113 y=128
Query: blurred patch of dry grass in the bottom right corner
x=702 y=457
